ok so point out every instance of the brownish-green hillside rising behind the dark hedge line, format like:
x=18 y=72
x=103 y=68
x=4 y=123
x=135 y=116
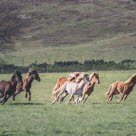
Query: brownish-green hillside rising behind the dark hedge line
x=54 y=30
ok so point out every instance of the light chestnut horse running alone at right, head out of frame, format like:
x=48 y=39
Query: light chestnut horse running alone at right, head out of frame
x=123 y=88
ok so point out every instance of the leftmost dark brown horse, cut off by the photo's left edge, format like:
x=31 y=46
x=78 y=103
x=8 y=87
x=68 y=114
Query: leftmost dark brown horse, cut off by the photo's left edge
x=8 y=88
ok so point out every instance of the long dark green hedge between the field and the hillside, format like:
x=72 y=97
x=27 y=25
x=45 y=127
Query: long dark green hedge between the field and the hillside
x=69 y=66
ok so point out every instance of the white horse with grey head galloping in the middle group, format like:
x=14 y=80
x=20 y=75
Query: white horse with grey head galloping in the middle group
x=73 y=88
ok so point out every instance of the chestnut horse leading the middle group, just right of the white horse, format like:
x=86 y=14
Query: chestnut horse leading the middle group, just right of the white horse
x=88 y=89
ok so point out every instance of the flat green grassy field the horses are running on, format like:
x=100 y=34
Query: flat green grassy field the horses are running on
x=96 y=117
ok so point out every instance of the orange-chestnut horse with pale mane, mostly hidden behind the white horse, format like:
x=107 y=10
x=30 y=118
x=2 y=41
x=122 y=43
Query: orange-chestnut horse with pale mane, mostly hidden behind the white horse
x=62 y=80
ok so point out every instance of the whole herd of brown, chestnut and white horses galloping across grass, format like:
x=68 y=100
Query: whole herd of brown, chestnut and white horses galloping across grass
x=77 y=83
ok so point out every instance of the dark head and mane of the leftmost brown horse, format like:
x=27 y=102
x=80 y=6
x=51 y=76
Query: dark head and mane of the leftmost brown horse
x=17 y=77
